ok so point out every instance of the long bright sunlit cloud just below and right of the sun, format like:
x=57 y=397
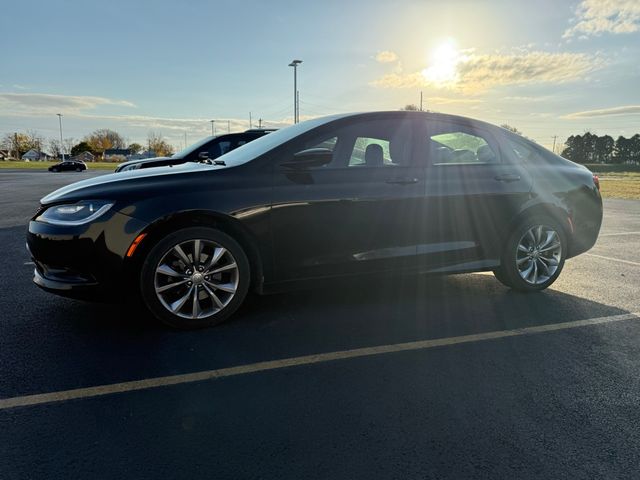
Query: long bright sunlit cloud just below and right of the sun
x=479 y=72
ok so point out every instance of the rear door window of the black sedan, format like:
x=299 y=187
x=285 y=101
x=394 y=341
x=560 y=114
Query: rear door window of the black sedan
x=458 y=145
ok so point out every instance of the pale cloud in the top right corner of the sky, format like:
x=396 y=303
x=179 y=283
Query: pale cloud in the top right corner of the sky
x=594 y=17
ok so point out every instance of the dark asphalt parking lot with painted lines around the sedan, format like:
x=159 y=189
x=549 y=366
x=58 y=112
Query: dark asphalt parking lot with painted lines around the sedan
x=402 y=377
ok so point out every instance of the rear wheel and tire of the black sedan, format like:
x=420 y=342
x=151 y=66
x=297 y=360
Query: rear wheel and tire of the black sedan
x=533 y=256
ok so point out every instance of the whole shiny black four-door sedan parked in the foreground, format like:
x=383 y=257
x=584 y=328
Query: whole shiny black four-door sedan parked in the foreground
x=339 y=196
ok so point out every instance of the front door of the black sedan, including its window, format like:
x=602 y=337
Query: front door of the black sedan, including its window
x=357 y=214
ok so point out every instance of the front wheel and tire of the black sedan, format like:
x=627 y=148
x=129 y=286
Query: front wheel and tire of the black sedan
x=196 y=299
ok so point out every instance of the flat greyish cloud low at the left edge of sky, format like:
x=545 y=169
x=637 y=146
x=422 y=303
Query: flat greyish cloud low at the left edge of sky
x=46 y=104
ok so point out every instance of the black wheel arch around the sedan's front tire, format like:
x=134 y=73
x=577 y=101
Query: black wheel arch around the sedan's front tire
x=200 y=218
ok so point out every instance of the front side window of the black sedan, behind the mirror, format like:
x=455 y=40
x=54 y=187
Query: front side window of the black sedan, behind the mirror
x=371 y=143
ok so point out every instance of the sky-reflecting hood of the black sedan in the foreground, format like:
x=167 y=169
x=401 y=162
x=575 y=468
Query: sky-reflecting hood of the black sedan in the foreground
x=100 y=186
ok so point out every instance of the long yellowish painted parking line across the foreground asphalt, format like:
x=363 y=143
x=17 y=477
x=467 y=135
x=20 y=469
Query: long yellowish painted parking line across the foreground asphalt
x=145 y=384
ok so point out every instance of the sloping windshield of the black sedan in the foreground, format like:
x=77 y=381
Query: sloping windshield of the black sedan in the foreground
x=266 y=143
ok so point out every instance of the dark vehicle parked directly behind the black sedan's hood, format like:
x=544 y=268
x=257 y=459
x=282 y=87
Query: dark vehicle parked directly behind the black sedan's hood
x=206 y=150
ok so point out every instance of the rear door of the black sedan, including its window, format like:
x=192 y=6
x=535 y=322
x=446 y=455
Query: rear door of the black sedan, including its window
x=472 y=192
